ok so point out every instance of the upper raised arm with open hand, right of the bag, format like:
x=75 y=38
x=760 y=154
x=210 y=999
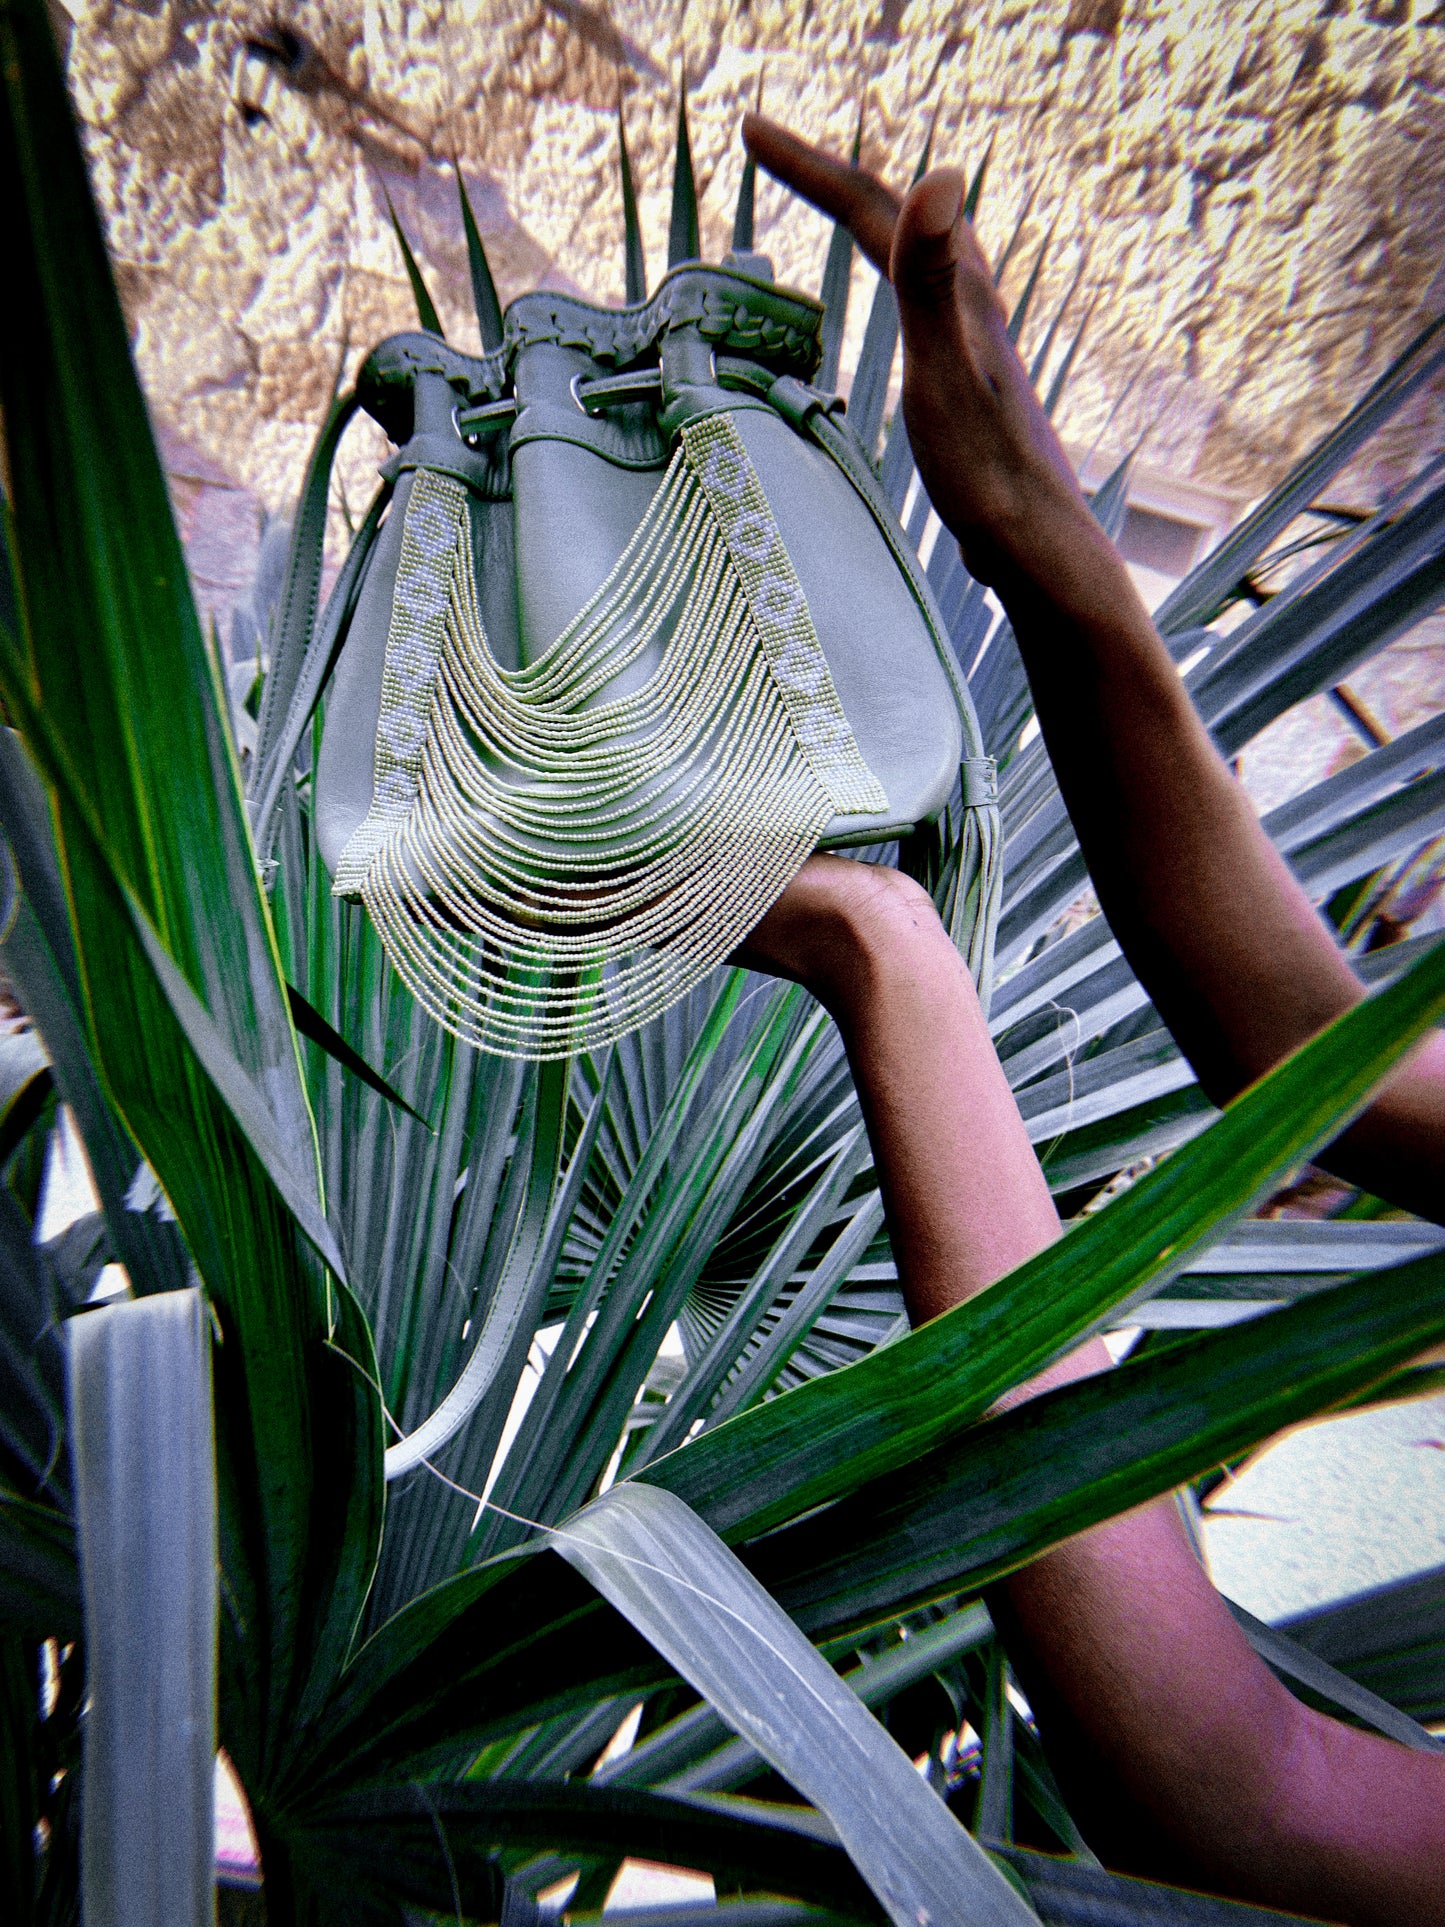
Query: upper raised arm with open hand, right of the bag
x=1209 y=914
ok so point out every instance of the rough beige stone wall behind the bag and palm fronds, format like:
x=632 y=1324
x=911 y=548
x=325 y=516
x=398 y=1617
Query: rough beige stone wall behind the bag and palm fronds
x=1249 y=199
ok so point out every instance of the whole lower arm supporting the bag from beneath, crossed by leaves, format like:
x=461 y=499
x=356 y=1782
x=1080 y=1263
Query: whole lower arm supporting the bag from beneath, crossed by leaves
x=1180 y=1753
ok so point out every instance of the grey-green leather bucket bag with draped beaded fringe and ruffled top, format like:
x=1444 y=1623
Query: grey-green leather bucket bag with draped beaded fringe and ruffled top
x=635 y=633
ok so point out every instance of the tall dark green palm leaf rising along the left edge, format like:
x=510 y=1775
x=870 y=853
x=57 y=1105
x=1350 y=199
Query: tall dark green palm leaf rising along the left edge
x=120 y=704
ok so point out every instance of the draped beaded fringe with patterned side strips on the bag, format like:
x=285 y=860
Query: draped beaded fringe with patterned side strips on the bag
x=550 y=866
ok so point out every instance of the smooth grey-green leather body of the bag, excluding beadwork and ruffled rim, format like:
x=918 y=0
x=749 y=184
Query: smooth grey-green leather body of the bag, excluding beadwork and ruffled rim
x=581 y=483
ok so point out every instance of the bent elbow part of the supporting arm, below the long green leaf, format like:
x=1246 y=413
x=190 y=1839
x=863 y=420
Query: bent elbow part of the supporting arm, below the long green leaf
x=1184 y=1758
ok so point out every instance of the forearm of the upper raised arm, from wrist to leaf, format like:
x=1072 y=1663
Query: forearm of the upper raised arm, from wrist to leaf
x=1222 y=936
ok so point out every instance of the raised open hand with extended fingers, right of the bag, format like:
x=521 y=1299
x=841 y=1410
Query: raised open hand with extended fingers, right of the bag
x=989 y=458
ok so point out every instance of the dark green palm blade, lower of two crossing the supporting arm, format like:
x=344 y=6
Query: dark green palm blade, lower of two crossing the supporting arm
x=1009 y=1491
